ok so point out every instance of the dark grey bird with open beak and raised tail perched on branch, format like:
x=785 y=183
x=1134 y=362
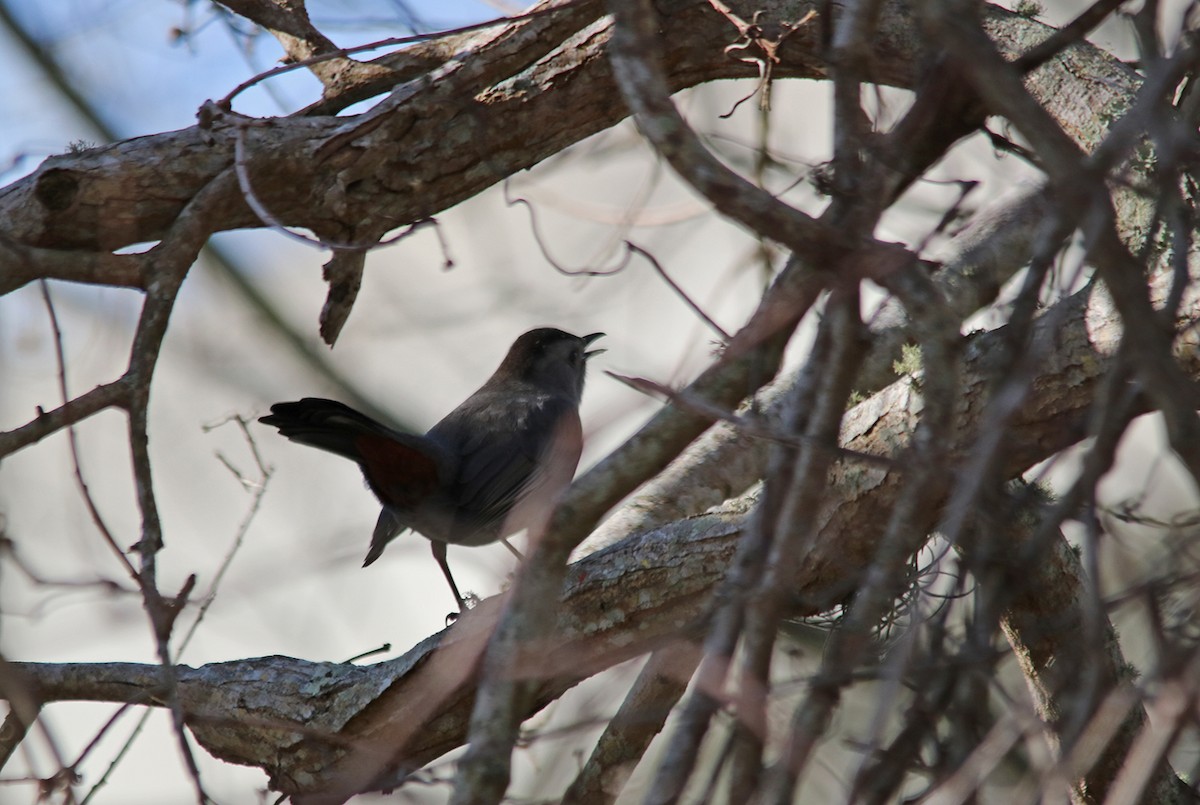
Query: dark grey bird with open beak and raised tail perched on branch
x=494 y=466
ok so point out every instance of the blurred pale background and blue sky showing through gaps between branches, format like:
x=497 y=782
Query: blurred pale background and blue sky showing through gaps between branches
x=421 y=340
